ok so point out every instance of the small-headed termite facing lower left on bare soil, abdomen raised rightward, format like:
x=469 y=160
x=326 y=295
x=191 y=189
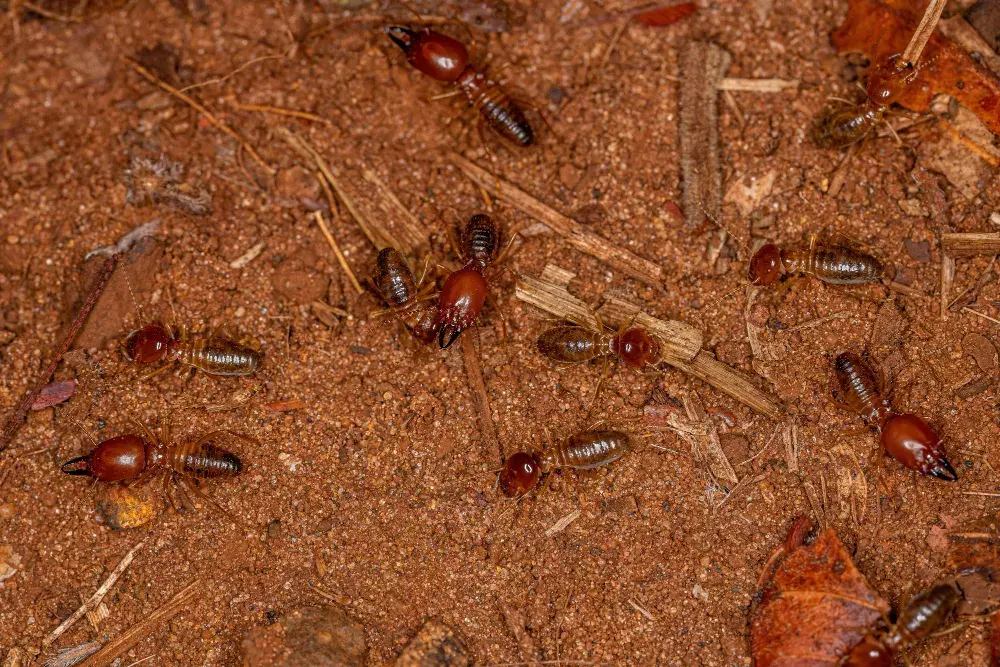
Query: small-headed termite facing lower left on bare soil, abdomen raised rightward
x=585 y=450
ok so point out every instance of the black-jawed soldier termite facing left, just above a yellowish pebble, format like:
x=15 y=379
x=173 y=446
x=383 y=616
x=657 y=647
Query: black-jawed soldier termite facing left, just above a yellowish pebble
x=136 y=458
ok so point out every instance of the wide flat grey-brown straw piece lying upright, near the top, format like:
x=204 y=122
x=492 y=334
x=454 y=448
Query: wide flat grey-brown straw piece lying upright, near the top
x=702 y=67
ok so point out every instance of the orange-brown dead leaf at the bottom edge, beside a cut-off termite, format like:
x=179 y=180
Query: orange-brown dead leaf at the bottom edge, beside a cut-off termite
x=814 y=609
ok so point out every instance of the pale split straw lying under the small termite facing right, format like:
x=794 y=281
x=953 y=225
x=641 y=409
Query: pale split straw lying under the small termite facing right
x=680 y=342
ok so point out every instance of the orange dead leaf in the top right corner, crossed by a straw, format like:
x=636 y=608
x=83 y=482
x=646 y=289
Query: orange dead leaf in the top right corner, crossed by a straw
x=945 y=67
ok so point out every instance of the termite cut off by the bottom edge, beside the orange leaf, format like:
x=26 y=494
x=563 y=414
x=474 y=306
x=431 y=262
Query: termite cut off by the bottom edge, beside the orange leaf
x=921 y=616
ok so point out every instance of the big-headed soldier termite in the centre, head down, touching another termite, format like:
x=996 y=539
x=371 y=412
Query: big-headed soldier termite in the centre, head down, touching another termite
x=466 y=290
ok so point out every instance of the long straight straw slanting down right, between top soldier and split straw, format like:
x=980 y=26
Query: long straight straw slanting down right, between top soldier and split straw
x=576 y=234
